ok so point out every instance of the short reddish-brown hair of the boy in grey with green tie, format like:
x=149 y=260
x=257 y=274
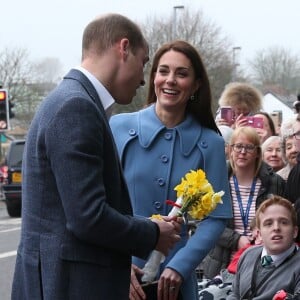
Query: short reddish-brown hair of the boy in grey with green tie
x=276 y=200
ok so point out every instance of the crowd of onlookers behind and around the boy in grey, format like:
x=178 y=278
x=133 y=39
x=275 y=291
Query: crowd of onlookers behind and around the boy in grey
x=276 y=155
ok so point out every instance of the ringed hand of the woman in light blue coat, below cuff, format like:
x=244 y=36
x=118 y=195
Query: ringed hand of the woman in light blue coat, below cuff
x=169 y=285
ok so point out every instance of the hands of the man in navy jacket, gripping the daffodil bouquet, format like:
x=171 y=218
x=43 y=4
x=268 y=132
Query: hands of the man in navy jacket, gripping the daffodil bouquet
x=169 y=228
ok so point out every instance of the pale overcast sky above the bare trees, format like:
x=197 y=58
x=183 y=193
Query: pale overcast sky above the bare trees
x=54 y=28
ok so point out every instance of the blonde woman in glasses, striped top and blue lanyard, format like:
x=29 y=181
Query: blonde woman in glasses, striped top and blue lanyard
x=251 y=182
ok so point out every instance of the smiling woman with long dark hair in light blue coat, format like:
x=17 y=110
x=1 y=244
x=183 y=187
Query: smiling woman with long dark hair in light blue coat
x=158 y=145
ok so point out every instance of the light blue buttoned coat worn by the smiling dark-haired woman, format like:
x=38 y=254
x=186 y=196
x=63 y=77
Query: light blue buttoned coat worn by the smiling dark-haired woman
x=154 y=159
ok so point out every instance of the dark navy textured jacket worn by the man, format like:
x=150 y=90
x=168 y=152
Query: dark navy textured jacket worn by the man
x=78 y=233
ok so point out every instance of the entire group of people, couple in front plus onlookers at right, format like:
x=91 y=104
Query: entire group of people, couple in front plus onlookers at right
x=87 y=234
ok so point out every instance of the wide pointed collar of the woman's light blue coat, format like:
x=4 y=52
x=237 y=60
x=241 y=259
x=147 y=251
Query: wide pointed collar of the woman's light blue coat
x=149 y=126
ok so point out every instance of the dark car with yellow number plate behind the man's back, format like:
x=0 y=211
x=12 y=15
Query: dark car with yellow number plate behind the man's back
x=12 y=178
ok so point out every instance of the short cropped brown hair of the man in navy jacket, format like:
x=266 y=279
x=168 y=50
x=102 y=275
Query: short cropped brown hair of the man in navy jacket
x=103 y=32
